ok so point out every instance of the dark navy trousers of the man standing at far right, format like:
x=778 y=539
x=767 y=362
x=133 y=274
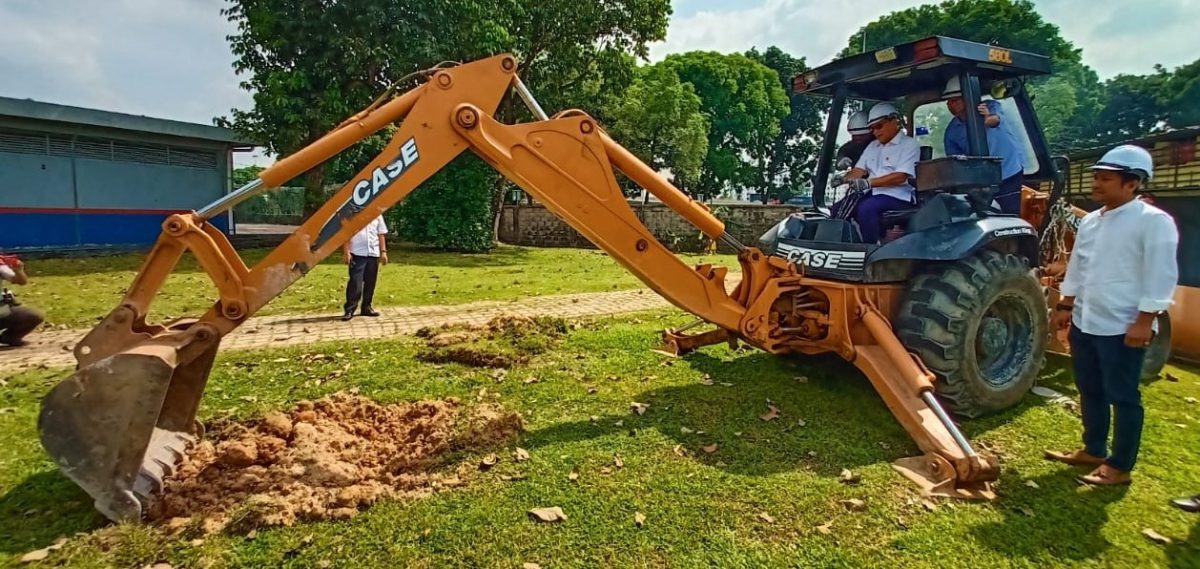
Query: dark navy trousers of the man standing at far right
x=1108 y=375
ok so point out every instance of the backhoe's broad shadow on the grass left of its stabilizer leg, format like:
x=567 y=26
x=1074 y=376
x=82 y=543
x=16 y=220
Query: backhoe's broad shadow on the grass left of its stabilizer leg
x=845 y=423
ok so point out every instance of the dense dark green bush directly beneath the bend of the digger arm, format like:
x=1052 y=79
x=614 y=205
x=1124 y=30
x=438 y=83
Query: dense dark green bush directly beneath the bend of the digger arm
x=453 y=209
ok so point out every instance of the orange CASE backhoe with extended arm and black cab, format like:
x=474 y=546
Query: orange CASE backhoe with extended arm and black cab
x=950 y=313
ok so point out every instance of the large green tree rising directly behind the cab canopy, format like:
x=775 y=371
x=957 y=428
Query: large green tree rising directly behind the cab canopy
x=1013 y=25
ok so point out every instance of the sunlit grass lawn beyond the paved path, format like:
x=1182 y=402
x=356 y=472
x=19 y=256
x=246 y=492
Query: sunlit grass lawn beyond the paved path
x=415 y=278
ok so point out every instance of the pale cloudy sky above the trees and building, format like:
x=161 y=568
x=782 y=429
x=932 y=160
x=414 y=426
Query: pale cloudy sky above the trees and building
x=170 y=58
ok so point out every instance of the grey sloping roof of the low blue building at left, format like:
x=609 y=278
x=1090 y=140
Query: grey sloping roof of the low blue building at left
x=28 y=109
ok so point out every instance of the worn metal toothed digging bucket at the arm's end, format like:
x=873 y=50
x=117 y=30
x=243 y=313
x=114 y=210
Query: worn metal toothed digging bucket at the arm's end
x=121 y=424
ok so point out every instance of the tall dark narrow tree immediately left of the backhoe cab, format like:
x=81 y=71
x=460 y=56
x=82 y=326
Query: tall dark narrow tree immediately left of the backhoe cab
x=791 y=158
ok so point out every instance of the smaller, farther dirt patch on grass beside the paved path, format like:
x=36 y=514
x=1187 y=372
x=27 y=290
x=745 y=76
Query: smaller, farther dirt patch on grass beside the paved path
x=506 y=342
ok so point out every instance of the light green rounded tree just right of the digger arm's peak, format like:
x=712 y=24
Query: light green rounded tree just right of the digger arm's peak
x=659 y=121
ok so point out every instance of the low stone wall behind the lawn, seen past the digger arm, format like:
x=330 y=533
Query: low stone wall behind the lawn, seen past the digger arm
x=537 y=227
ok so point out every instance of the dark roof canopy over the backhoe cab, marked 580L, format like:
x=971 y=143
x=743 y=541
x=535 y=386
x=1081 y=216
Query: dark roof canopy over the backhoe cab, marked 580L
x=923 y=65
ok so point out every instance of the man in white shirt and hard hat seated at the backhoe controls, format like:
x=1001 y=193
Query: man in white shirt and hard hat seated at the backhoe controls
x=880 y=181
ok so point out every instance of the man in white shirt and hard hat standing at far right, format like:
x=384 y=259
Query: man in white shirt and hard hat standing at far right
x=1123 y=273
